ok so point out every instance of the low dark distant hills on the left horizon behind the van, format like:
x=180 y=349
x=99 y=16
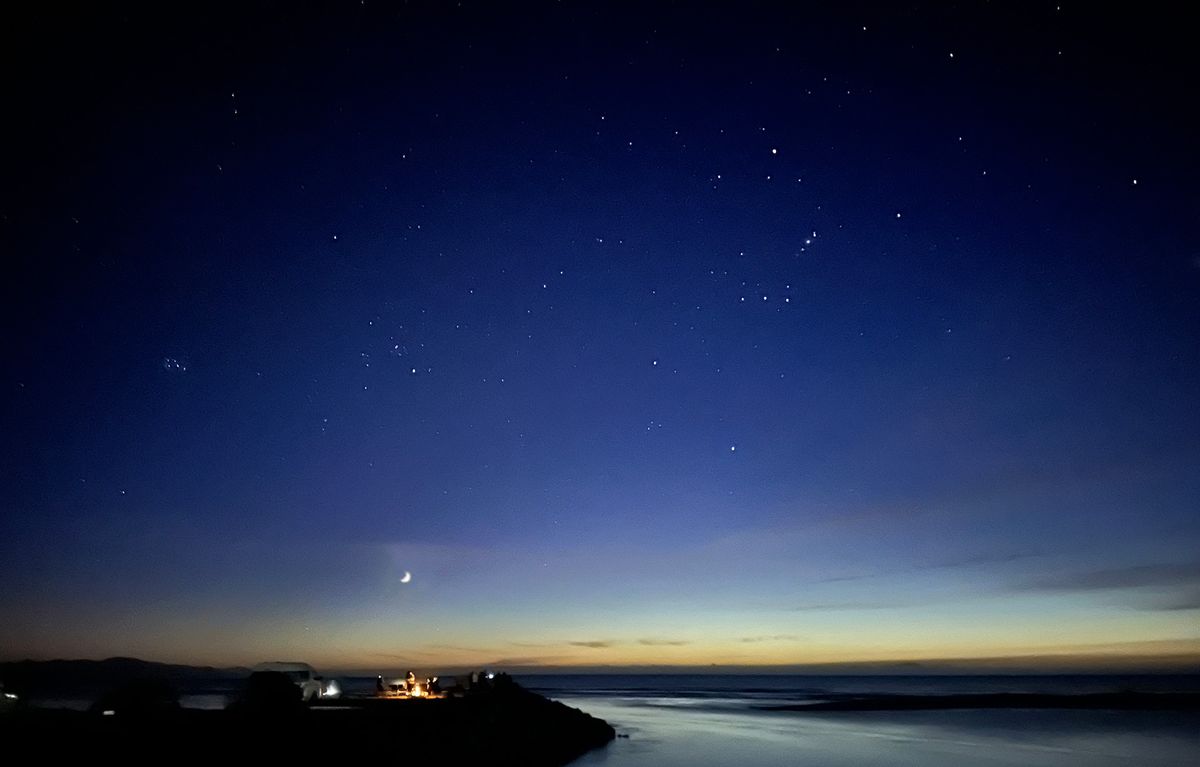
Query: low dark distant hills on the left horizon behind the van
x=61 y=678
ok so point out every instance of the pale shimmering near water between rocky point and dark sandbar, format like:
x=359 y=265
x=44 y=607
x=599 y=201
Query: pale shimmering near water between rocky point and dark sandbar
x=662 y=735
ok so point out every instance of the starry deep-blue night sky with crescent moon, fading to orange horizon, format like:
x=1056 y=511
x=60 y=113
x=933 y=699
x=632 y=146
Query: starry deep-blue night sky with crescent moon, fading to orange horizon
x=649 y=334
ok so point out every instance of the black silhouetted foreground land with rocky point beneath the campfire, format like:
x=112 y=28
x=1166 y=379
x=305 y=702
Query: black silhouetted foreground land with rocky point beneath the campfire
x=503 y=727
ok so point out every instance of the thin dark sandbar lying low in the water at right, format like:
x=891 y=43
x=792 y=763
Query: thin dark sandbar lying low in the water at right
x=1100 y=702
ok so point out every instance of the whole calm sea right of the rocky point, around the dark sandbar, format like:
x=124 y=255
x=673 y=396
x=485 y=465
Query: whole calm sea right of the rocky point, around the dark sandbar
x=709 y=721
